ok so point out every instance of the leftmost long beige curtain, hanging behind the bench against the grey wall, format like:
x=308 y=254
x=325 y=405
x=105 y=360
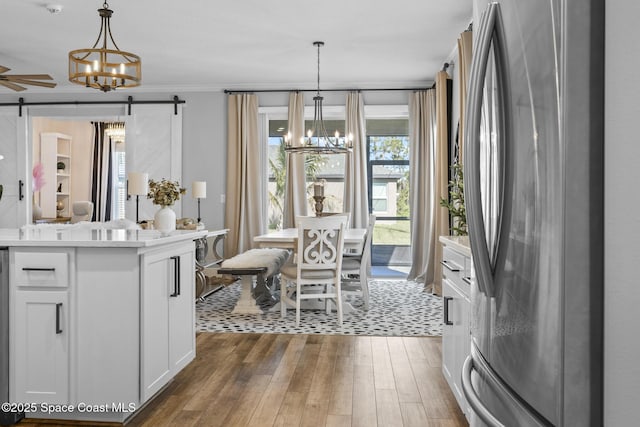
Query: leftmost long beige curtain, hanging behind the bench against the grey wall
x=245 y=175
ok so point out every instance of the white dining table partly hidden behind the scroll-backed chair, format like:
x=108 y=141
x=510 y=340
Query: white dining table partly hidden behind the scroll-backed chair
x=287 y=238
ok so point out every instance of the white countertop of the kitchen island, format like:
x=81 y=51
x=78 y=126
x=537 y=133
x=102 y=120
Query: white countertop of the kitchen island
x=86 y=237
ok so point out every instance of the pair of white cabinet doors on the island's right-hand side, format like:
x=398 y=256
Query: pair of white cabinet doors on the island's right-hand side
x=168 y=315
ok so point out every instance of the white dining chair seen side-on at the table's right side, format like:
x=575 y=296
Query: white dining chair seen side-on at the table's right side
x=356 y=268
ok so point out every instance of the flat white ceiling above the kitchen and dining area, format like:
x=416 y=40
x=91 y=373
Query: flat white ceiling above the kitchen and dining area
x=242 y=44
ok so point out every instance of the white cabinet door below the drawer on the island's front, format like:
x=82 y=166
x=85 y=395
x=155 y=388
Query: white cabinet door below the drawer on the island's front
x=41 y=347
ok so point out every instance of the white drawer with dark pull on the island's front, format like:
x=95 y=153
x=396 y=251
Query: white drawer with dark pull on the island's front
x=41 y=269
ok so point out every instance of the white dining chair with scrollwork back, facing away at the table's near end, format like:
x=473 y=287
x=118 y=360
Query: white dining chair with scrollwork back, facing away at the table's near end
x=316 y=272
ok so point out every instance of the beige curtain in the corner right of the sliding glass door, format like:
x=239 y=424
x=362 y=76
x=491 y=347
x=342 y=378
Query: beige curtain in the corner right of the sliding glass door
x=428 y=136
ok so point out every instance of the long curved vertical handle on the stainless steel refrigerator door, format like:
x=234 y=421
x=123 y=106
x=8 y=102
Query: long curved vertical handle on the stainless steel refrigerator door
x=490 y=26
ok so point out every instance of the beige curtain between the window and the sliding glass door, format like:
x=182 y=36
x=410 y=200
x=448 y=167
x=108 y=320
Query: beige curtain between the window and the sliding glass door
x=355 y=180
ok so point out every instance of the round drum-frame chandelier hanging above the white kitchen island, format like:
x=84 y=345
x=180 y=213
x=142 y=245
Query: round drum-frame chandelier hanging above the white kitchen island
x=103 y=67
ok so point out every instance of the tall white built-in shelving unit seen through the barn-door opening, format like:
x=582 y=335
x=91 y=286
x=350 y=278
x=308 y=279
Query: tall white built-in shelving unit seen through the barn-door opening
x=55 y=195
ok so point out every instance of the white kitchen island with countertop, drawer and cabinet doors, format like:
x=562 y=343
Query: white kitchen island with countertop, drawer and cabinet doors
x=101 y=319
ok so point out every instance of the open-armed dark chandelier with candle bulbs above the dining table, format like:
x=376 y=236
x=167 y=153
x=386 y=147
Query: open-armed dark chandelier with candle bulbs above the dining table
x=317 y=140
